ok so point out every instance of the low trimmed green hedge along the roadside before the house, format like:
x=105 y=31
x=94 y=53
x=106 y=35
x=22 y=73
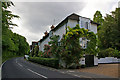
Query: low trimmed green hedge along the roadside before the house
x=51 y=62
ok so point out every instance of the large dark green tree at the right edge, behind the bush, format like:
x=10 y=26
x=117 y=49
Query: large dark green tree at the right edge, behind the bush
x=110 y=31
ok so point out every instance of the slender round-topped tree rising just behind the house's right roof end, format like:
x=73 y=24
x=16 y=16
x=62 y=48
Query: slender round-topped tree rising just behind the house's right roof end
x=98 y=18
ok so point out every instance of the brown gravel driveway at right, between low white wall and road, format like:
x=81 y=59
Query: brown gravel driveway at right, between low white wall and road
x=104 y=69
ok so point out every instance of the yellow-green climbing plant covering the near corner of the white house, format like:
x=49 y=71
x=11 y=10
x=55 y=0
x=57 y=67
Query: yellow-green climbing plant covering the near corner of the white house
x=72 y=51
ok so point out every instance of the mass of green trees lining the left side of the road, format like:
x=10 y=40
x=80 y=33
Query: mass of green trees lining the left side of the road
x=12 y=43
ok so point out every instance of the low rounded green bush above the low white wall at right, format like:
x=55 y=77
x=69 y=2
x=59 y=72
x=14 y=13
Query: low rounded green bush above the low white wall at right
x=110 y=52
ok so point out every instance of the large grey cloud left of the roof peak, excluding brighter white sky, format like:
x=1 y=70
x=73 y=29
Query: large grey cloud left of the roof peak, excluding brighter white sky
x=39 y=15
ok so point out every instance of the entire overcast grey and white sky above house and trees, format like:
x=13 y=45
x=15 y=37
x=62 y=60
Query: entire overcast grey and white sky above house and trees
x=37 y=17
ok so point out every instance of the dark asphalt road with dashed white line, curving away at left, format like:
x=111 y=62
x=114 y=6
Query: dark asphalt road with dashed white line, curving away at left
x=20 y=68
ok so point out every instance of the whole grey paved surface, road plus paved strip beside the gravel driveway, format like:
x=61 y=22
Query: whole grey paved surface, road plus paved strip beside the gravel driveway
x=20 y=68
